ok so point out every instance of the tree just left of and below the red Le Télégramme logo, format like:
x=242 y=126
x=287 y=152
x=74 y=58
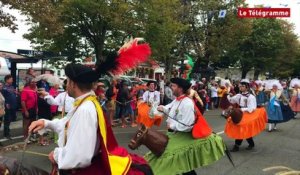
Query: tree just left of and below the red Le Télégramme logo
x=210 y=38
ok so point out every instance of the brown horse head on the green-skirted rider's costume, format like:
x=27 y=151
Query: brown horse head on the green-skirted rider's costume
x=155 y=141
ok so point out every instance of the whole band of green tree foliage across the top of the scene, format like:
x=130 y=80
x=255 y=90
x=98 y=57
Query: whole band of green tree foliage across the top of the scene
x=79 y=28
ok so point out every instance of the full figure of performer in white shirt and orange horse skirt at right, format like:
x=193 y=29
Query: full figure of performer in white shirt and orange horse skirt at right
x=253 y=119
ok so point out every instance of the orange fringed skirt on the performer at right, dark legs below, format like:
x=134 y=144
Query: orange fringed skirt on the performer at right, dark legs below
x=250 y=125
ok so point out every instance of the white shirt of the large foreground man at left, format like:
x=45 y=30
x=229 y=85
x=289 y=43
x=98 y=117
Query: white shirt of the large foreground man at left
x=82 y=143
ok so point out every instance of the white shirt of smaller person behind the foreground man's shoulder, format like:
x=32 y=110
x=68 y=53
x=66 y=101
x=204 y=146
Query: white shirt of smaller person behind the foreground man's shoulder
x=59 y=101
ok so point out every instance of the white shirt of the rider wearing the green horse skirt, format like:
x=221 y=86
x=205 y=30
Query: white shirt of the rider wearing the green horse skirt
x=185 y=114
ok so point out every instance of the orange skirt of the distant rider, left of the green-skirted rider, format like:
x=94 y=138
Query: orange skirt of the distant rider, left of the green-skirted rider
x=143 y=116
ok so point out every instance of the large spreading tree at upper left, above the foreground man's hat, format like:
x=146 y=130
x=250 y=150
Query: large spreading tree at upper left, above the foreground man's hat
x=68 y=26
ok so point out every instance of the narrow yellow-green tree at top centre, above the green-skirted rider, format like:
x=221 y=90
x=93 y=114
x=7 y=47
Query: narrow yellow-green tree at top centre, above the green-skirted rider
x=163 y=30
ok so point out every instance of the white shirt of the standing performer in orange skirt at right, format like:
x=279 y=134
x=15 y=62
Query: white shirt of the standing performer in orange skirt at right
x=247 y=103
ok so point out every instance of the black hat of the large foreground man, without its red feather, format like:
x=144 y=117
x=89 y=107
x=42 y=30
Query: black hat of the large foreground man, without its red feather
x=80 y=73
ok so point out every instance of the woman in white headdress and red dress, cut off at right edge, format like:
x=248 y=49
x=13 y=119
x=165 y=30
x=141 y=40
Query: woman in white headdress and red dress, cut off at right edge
x=295 y=99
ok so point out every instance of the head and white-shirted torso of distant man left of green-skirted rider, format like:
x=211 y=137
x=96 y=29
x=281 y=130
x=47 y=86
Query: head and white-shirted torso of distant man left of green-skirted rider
x=151 y=96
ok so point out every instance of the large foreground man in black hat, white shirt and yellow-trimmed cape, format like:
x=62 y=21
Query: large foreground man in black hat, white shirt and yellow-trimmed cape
x=81 y=143
